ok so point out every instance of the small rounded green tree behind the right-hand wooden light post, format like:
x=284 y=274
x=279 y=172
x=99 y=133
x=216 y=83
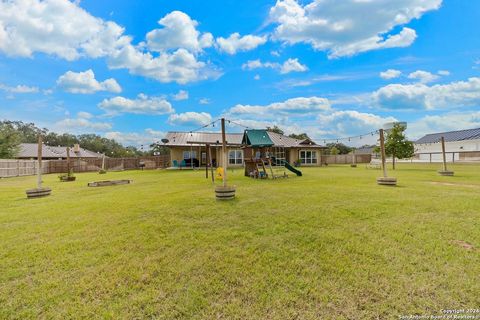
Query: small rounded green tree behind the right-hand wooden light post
x=397 y=145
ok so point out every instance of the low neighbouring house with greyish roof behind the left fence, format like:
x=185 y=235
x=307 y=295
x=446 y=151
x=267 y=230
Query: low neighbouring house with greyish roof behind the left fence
x=30 y=151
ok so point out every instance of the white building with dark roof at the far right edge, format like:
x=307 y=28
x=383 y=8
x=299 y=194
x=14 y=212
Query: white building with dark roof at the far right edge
x=463 y=145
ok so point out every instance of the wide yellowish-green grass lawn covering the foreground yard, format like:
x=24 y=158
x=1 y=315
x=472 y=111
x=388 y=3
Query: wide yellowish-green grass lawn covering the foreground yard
x=328 y=245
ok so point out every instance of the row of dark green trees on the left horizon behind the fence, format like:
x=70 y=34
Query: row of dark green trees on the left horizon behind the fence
x=13 y=133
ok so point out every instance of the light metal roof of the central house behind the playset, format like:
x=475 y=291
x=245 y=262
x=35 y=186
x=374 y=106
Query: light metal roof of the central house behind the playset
x=185 y=139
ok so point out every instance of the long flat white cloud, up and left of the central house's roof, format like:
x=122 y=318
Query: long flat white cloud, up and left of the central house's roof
x=143 y=104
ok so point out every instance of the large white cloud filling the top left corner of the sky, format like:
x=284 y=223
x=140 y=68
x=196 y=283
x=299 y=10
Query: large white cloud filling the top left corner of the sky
x=57 y=27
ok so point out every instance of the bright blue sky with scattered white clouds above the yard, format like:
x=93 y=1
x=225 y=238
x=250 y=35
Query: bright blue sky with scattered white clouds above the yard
x=133 y=70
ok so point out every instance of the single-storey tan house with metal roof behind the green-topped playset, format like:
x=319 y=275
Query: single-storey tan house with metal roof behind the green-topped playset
x=191 y=148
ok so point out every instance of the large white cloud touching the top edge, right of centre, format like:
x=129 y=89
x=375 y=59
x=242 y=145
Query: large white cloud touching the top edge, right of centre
x=342 y=29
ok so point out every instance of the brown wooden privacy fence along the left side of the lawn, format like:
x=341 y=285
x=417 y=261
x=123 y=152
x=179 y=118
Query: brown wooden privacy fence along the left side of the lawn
x=15 y=168
